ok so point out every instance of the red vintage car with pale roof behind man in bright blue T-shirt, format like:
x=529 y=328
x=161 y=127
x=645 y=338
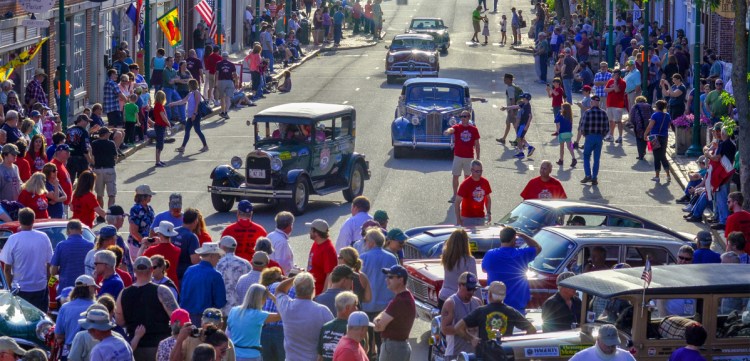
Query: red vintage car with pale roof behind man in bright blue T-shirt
x=563 y=249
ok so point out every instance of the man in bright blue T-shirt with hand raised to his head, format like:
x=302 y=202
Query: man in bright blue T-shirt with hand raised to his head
x=509 y=264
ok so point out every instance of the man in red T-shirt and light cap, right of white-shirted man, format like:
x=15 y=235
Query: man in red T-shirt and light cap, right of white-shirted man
x=322 y=258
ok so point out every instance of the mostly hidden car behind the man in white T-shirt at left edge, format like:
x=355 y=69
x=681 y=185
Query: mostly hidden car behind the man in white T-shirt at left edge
x=56 y=230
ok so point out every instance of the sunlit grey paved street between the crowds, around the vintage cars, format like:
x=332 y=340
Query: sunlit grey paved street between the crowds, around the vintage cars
x=414 y=190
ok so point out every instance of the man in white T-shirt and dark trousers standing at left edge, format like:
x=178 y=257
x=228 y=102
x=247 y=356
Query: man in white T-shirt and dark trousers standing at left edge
x=26 y=256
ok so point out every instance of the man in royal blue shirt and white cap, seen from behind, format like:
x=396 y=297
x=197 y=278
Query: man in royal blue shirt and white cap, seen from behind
x=202 y=285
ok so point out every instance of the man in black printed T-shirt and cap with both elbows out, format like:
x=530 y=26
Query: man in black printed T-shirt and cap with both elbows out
x=496 y=312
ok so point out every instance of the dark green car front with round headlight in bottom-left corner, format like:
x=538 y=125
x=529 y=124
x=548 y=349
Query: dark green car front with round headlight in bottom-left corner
x=29 y=326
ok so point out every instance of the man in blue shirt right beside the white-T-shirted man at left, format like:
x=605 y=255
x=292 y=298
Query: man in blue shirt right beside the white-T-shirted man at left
x=70 y=254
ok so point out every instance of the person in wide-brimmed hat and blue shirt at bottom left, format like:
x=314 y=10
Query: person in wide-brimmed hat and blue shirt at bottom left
x=110 y=348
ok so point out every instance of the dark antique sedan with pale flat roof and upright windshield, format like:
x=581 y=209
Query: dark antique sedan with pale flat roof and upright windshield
x=300 y=149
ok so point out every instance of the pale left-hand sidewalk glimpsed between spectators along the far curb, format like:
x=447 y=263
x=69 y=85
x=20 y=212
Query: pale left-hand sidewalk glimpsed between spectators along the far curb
x=349 y=42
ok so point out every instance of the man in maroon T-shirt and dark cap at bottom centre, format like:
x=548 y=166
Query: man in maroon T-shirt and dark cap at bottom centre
x=396 y=321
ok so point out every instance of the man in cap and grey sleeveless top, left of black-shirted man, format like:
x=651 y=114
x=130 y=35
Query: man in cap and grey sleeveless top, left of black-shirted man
x=455 y=308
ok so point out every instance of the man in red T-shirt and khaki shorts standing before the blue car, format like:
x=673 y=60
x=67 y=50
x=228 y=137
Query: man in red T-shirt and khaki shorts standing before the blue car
x=465 y=140
